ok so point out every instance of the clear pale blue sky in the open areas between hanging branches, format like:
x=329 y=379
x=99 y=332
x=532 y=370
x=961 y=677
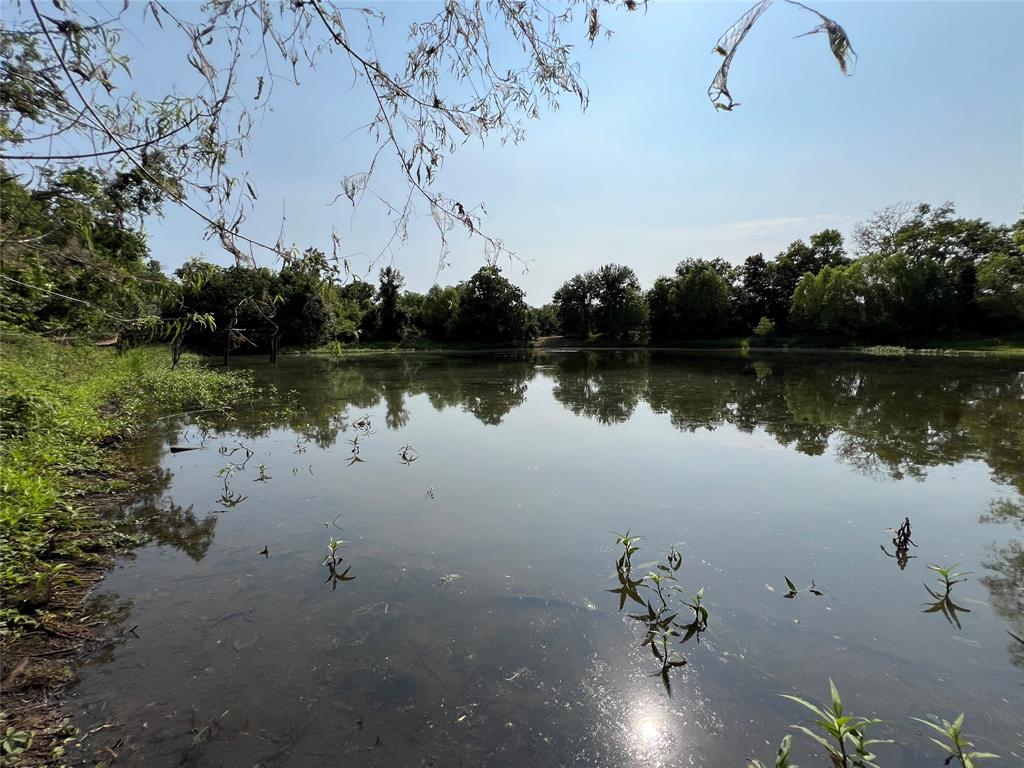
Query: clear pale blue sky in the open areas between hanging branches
x=652 y=174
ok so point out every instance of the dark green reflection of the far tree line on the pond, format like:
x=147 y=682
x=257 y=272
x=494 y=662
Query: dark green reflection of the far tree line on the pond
x=884 y=418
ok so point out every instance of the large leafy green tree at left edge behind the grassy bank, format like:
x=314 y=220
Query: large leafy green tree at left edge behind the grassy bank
x=75 y=257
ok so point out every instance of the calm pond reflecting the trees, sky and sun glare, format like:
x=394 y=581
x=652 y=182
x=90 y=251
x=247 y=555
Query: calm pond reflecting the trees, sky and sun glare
x=471 y=616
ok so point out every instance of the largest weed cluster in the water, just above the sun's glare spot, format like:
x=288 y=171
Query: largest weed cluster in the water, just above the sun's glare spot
x=663 y=633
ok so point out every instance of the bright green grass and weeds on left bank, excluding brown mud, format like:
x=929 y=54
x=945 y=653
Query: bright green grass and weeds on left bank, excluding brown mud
x=63 y=412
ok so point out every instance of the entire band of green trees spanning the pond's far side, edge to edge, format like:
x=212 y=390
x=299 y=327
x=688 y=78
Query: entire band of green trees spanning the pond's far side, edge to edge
x=76 y=260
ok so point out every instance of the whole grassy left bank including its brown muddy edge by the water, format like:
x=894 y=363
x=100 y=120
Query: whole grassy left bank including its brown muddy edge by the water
x=67 y=414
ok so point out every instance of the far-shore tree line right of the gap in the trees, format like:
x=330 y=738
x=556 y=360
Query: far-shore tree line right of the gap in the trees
x=917 y=272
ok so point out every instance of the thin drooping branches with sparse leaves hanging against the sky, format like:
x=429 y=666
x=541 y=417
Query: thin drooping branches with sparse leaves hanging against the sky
x=70 y=95
